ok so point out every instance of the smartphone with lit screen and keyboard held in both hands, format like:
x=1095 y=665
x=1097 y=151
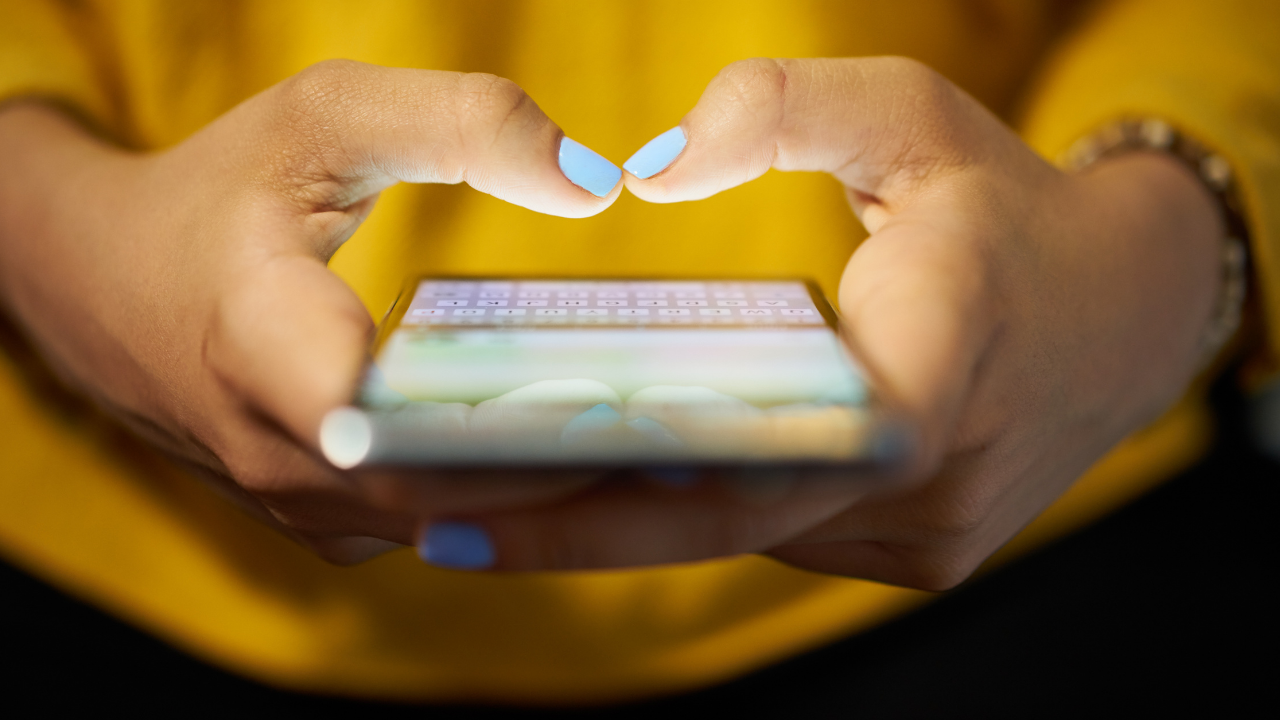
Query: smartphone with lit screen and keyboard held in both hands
x=555 y=372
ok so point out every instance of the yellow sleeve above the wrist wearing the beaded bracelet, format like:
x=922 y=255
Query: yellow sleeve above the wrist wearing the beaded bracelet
x=1213 y=70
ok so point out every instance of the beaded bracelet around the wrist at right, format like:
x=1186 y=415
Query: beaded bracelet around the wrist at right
x=1215 y=172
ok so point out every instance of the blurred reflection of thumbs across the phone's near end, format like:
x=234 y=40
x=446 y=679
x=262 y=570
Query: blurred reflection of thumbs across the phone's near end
x=586 y=422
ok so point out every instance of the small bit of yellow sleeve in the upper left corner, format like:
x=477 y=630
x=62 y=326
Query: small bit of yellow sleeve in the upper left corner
x=45 y=53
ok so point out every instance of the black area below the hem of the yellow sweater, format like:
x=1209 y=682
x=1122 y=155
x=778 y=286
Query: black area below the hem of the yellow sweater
x=1165 y=607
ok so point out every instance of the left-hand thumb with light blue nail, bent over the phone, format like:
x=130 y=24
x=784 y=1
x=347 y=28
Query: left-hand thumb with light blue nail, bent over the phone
x=346 y=130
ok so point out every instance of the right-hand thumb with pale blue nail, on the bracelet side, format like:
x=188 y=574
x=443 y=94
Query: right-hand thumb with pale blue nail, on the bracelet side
x=880 y=125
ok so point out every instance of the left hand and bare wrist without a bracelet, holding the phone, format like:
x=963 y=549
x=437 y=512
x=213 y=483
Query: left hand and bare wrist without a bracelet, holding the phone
x=188 y=290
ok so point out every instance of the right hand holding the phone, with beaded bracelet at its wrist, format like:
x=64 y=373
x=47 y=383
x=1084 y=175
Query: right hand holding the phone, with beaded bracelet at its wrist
x=1027 y=321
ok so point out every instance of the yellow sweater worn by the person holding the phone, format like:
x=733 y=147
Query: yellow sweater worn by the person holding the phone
x=107 y=520
